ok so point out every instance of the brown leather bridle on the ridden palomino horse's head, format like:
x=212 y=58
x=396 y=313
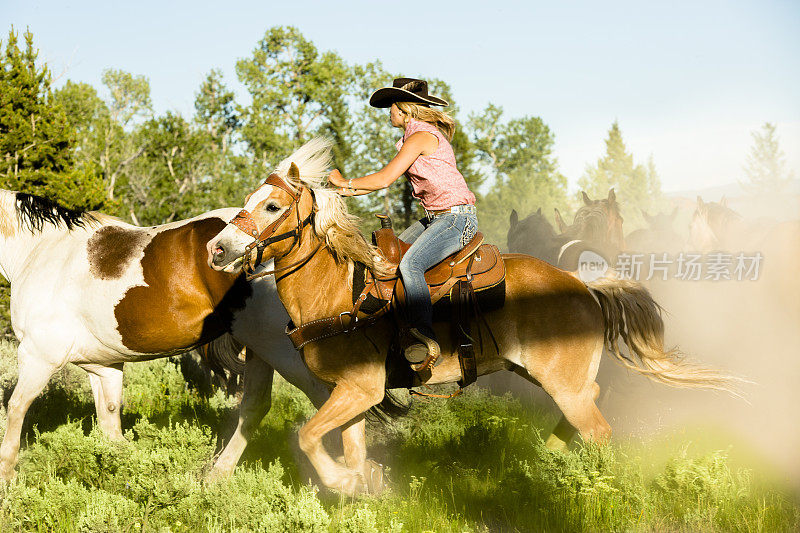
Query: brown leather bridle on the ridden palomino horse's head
x=244 y=221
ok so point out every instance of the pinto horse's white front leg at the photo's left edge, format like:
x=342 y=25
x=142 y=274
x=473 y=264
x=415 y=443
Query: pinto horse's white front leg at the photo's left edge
x=33 y=377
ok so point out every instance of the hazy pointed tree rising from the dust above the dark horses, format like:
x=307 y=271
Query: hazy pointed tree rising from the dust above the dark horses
x=638 y=187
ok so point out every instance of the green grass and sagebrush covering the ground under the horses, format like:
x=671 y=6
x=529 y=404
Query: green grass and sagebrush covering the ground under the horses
x=473 y=463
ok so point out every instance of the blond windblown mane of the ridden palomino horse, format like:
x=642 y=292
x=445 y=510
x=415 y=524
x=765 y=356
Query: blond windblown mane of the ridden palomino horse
x=332 y=221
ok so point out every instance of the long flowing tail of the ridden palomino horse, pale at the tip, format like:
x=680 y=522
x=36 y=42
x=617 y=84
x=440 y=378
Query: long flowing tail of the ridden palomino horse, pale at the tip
x=631 y=312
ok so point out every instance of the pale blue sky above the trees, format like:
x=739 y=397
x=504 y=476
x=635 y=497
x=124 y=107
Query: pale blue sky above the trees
x=687 y=81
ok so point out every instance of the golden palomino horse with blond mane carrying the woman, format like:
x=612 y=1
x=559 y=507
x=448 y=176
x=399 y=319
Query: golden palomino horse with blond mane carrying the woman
x=551 y=331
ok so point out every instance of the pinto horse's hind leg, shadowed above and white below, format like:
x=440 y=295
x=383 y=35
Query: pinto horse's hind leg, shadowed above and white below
x=256 y=401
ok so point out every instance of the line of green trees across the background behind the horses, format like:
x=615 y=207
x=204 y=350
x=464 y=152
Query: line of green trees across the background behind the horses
x=105 y=148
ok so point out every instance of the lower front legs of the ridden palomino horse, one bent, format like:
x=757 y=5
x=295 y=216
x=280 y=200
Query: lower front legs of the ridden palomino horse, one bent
x=346 y=405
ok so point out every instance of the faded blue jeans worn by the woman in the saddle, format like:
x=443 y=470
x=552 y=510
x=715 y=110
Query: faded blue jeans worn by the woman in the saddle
x=432 y=240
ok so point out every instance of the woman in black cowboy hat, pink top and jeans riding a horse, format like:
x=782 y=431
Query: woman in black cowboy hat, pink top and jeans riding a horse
x=426 y=157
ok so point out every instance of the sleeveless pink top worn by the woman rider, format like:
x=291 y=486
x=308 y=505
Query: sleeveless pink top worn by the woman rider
x=436 y=181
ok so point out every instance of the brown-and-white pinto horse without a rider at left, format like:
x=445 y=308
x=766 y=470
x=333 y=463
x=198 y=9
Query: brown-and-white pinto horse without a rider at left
x=92 y=290
